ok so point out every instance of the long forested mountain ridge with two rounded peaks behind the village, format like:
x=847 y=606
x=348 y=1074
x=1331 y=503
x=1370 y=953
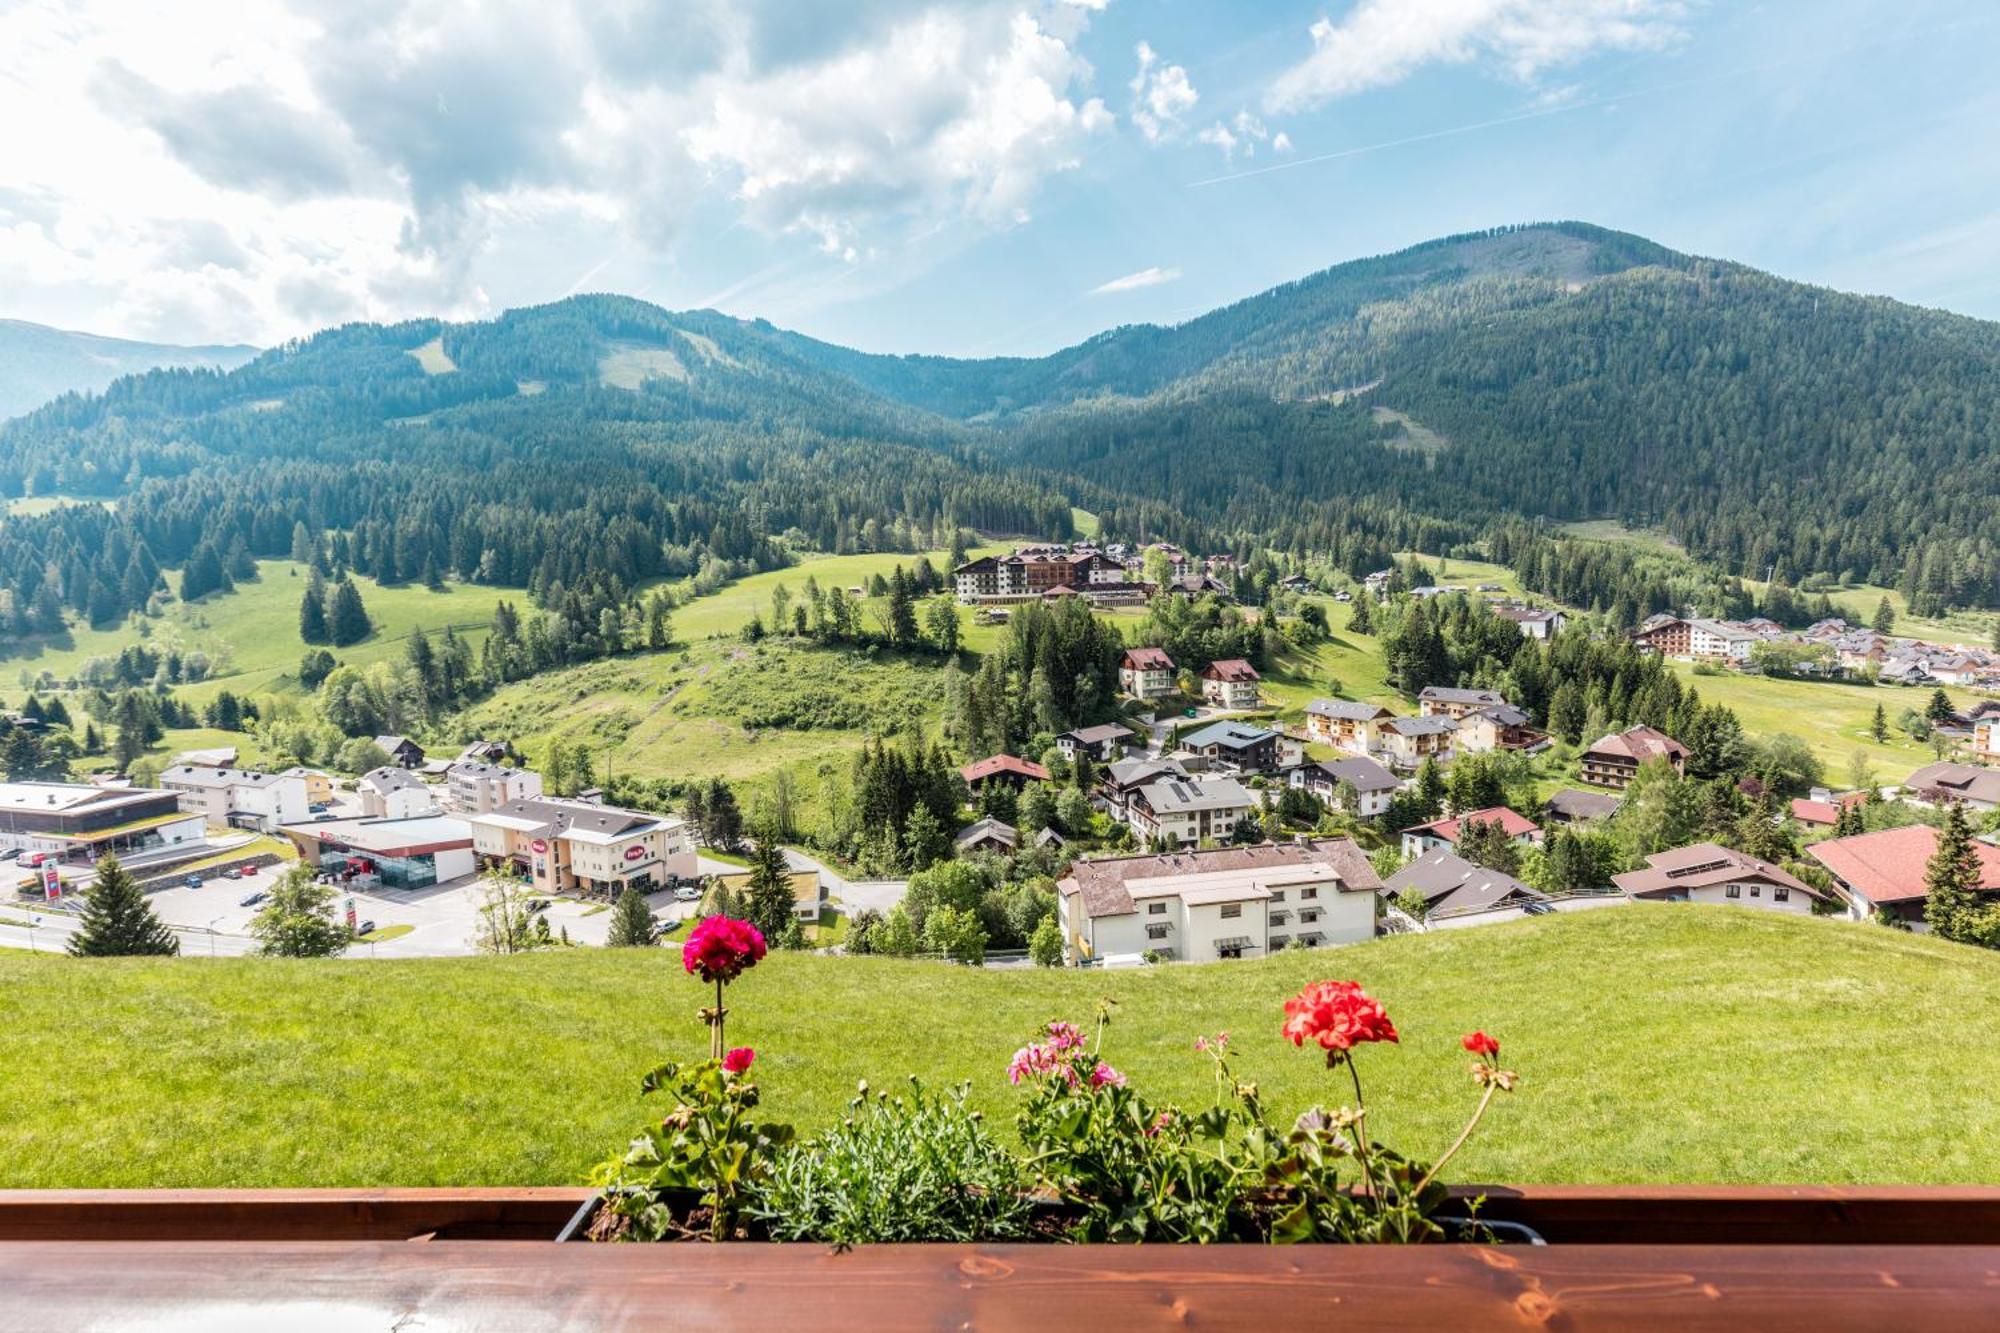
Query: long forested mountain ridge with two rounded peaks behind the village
x=1425 y=399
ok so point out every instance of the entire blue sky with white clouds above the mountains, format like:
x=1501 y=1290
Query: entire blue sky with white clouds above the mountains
x=959 y=177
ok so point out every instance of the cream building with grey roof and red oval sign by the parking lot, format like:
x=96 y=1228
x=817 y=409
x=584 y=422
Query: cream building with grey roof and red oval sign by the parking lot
x=583 y=848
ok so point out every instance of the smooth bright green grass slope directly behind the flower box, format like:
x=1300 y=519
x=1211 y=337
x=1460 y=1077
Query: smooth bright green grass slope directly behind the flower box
x=1663 y=1044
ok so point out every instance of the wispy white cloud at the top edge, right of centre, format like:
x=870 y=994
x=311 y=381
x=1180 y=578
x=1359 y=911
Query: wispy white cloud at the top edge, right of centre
x=1381 y=43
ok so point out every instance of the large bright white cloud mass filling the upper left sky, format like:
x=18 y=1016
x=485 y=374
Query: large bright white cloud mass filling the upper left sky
x=357 y=159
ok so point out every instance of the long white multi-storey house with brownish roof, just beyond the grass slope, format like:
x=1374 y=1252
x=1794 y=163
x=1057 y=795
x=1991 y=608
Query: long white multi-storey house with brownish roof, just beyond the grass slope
x=1221 y=904
